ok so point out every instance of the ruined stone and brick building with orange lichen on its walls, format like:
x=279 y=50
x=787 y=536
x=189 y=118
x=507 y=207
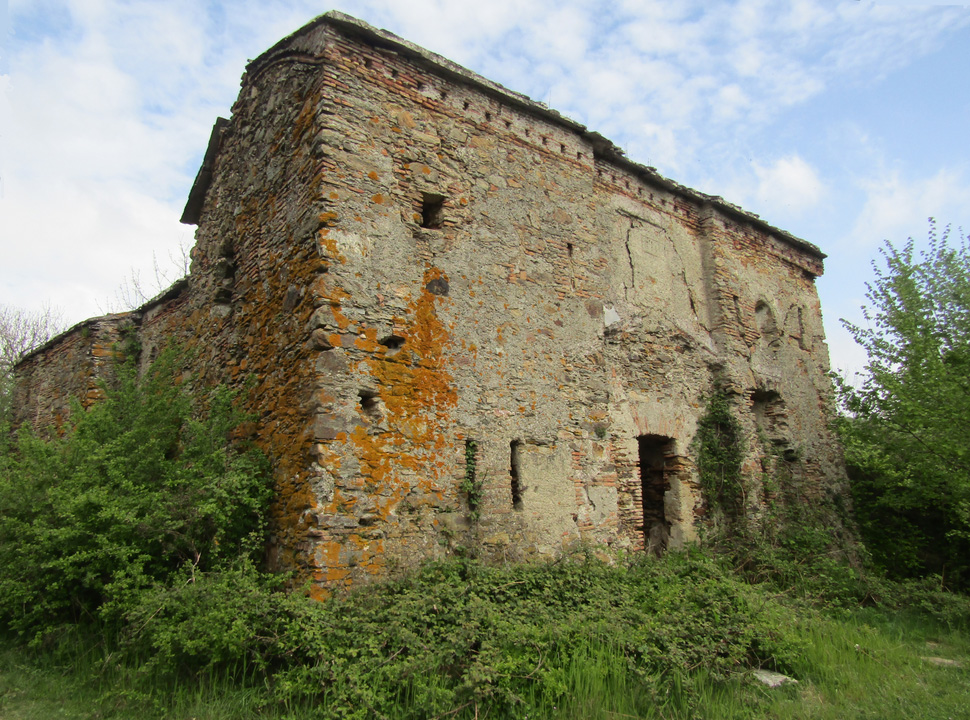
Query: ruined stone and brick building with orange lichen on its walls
x=472 y=324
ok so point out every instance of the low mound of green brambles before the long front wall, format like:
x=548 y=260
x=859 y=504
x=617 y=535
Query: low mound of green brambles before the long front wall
x=459 y=634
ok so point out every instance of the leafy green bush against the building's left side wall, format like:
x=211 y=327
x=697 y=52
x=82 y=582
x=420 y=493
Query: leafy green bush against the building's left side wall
x=139 y=490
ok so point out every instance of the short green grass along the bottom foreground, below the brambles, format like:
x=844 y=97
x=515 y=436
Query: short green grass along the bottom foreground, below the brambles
x=862 y=665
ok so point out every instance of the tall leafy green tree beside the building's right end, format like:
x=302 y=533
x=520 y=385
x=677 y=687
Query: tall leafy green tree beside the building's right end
x=906 y=426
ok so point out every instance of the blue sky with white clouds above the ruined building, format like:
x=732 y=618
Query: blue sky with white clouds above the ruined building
x=844 y=123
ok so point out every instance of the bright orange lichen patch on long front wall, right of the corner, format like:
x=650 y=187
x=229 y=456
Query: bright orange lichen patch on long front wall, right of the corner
x=397 y=447
